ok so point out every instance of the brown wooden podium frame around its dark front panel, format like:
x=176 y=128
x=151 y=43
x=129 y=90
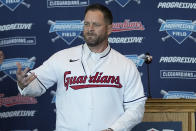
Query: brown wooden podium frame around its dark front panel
x=167 y=110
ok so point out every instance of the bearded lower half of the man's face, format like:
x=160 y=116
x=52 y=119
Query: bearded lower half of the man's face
x=93 y=39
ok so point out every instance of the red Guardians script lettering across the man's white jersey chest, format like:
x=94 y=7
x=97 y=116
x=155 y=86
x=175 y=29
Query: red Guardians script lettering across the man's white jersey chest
x=97 y=80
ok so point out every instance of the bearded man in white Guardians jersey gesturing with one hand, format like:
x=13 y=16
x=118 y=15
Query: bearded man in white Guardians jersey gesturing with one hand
x=98 y=89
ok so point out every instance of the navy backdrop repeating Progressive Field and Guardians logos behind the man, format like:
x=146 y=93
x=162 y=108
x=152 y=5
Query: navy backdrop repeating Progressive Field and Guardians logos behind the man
x=30 y=32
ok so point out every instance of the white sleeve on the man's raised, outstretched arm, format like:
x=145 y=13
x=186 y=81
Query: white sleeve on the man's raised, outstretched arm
x=46 y=77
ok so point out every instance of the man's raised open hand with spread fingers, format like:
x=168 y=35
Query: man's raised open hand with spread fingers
x=22 y=77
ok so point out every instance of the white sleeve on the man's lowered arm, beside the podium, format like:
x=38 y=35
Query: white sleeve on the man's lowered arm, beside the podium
x=134 y=101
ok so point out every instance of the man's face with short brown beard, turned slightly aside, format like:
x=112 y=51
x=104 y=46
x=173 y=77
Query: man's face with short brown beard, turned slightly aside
x=96 y=31
